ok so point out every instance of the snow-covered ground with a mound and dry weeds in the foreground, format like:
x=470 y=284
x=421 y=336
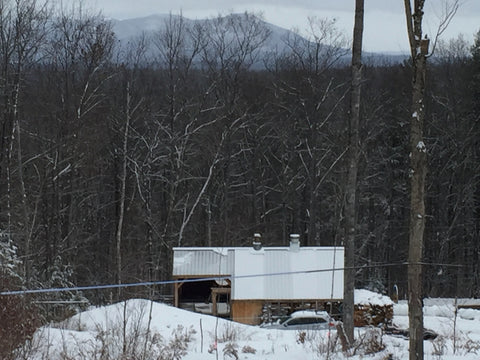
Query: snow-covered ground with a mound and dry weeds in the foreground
x=148 y=330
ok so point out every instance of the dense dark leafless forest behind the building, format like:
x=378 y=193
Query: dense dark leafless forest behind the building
x=112 y=154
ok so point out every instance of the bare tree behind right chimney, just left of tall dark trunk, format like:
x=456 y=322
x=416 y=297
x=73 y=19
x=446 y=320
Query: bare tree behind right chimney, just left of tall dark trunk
x=310 y=99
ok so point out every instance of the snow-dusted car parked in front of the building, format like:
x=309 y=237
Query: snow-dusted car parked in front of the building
x=304 y=320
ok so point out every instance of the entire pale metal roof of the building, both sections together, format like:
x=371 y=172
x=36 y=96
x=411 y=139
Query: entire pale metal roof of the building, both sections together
x=247 y=262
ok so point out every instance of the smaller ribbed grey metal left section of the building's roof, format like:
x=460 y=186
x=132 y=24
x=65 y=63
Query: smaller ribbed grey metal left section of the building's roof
x=202 y=261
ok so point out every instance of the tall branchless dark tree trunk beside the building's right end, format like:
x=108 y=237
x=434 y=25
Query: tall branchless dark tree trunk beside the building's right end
x=351 y=186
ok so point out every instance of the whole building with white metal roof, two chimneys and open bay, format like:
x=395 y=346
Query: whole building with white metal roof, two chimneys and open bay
x=250 y=278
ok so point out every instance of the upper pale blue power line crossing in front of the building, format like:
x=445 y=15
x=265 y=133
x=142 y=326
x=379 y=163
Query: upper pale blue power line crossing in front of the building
x=213 y=277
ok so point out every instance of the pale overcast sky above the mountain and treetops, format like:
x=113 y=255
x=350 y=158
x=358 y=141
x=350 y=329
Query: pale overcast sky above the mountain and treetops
x=384 y=19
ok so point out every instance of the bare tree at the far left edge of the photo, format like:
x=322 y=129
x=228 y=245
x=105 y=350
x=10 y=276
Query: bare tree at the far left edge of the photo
x=22 y=33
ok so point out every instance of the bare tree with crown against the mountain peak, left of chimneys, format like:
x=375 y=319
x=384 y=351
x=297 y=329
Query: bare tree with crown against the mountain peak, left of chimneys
x=234 y=45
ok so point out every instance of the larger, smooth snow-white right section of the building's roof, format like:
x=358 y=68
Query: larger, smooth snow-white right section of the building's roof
x=308 y=284
